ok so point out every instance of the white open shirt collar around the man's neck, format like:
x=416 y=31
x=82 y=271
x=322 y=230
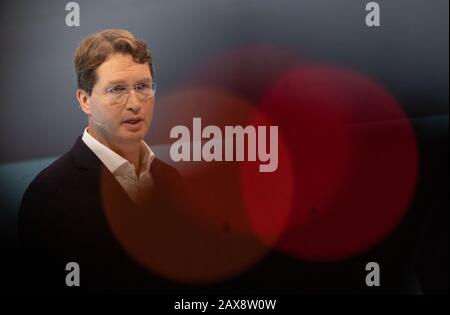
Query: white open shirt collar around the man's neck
x=114 y=161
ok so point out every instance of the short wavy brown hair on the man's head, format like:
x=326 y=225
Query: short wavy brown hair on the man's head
x=95 y=48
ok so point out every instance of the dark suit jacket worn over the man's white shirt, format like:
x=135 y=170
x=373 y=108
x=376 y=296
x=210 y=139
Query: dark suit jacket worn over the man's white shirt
x=62 y=219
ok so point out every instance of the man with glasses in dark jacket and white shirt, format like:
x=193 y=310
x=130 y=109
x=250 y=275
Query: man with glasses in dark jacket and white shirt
x=65 y=211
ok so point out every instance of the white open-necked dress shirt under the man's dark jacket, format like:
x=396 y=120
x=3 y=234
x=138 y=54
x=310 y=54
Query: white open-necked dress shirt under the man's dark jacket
x=124 y=171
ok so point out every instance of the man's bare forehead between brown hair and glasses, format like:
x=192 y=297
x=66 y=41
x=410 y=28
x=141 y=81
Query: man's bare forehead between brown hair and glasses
x=120 y=67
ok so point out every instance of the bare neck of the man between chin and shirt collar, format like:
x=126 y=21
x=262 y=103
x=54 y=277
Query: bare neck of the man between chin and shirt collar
x=130 y=151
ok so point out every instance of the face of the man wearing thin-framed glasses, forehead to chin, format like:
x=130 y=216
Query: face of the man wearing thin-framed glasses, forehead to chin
x=109 y=115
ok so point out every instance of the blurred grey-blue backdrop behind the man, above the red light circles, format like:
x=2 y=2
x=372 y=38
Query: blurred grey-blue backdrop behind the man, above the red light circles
x=408 y=53
